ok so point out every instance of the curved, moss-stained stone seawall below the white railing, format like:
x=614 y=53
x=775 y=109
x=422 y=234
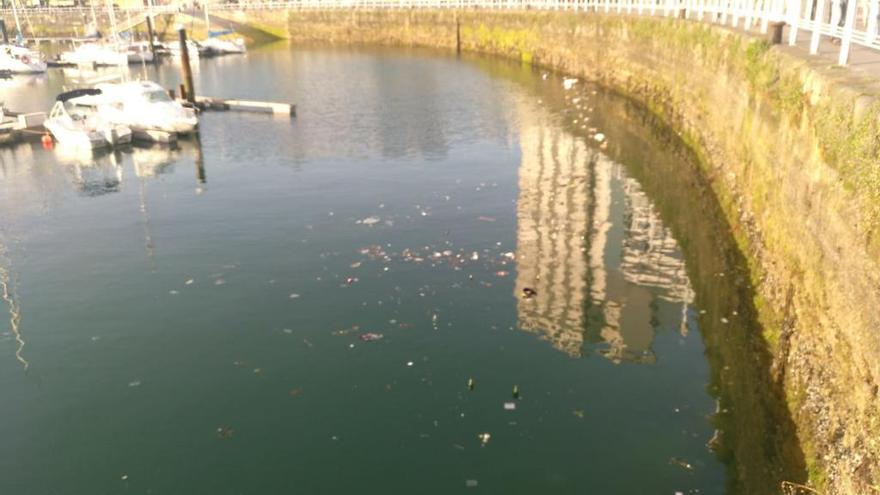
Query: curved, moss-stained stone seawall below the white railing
x=790 y=148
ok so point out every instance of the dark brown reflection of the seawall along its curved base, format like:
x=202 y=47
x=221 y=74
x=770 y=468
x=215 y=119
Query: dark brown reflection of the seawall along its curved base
x=755 y=435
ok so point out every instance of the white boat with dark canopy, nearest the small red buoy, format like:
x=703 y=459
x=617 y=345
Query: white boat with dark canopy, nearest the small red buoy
x=81 y=126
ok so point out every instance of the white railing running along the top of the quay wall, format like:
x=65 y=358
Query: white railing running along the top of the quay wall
x=845 y=21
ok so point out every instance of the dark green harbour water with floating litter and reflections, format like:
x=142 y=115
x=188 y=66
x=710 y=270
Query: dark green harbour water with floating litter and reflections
x=206 y=318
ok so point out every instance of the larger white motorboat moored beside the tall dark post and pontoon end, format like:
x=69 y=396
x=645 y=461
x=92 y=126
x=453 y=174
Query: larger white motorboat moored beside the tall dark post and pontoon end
x=143 y=106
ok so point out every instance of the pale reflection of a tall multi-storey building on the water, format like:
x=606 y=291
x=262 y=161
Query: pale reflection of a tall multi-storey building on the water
x=592 y=246
